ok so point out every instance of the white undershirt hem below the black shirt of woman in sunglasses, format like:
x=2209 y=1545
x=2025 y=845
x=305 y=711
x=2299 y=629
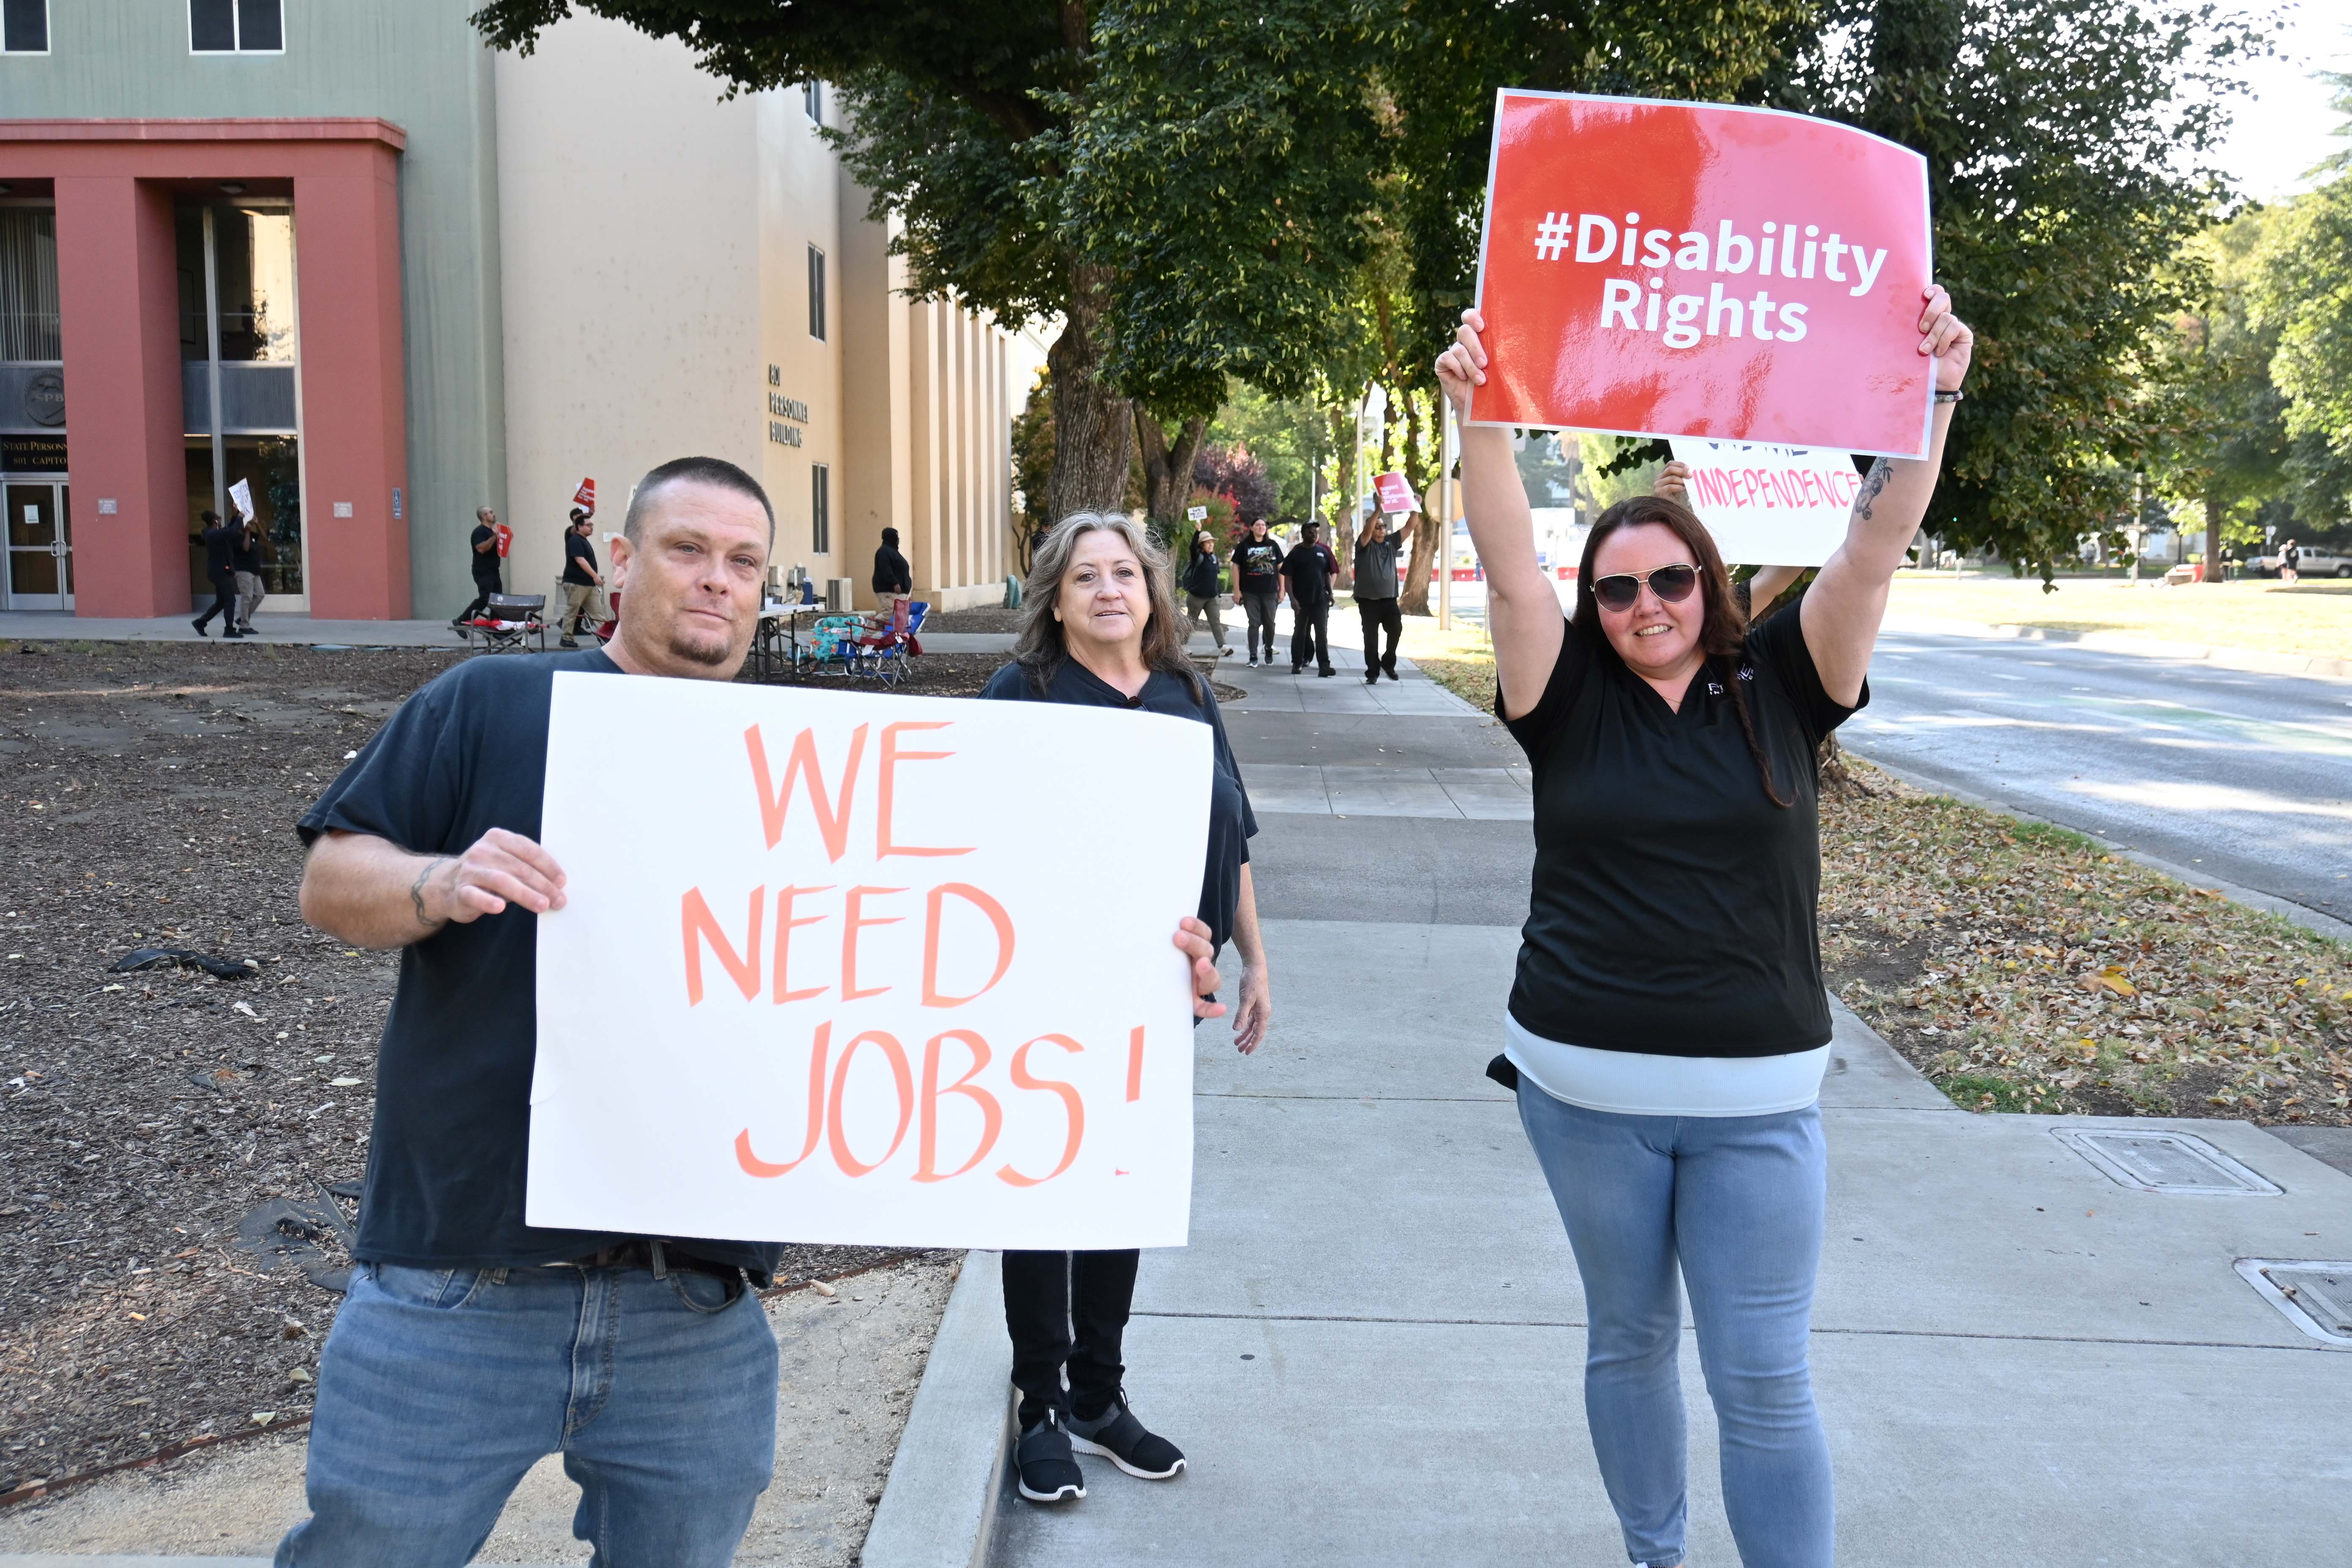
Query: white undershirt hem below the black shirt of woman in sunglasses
x=1643 y=1085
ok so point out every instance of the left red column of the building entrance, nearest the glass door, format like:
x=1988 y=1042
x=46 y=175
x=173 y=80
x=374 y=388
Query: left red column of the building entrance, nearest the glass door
x=119 y=297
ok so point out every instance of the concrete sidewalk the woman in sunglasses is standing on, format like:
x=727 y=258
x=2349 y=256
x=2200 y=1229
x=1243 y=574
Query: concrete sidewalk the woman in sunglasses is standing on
x=1372 y=1346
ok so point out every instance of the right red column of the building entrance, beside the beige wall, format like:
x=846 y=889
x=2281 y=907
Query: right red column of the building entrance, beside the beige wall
x=354 y=406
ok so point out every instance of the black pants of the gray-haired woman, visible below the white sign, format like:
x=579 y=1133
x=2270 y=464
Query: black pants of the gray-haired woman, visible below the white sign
x=1069 y=1311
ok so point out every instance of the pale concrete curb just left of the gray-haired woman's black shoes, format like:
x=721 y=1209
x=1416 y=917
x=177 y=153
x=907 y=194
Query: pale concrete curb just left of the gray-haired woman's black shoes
x=940 y=1506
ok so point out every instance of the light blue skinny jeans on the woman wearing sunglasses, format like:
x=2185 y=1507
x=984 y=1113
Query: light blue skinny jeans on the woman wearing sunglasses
x=1739 y=1205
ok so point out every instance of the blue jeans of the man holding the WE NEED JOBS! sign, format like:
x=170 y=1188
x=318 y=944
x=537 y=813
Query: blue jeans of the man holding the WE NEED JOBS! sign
x=441 y=1388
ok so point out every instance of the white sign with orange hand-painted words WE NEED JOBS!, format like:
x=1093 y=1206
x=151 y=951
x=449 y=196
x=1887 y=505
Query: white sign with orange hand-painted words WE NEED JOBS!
x=867 y=970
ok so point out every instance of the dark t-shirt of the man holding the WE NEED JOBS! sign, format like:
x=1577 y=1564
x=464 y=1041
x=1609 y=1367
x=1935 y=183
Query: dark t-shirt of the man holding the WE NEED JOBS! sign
x=446 y=1162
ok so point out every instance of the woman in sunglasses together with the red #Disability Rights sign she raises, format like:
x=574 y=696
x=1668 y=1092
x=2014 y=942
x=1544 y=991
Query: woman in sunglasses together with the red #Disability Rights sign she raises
x=1669 y=1028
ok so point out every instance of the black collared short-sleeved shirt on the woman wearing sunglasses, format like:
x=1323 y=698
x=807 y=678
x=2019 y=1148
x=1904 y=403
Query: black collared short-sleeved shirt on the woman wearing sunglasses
x=1673 y=904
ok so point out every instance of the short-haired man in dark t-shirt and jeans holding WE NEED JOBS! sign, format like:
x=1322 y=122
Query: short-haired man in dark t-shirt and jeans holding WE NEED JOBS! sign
x=472 y=1341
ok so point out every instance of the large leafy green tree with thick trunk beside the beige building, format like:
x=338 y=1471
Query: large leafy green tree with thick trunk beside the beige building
x=1175 y=180
